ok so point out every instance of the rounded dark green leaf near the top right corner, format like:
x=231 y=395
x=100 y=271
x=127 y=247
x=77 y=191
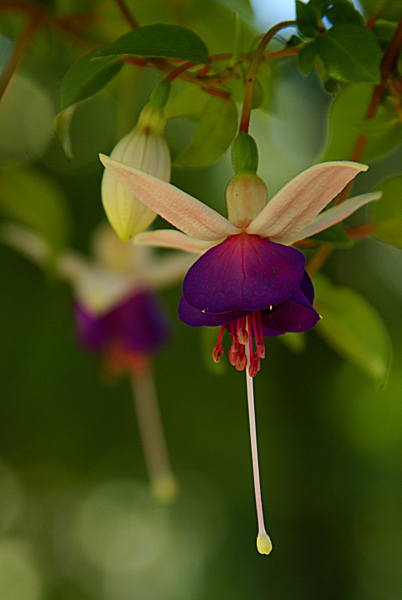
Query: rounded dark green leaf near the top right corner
x=350 y=53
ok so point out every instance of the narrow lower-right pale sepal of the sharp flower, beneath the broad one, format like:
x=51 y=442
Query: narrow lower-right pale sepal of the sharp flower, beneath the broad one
x=330 y=217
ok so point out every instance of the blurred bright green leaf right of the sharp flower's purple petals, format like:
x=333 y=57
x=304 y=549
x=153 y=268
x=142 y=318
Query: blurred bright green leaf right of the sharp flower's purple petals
x=353 y=328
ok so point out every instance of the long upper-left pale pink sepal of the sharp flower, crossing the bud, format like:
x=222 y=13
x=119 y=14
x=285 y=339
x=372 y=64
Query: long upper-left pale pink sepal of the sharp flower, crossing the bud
x=182 y=210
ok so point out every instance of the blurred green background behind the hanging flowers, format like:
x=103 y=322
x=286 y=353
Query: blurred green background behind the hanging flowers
x=76 y=517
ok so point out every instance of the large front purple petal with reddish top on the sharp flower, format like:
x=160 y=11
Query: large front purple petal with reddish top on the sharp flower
x=243 y=272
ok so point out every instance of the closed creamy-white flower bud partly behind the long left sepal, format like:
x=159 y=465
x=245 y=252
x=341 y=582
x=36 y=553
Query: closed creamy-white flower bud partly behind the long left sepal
x=143 y=148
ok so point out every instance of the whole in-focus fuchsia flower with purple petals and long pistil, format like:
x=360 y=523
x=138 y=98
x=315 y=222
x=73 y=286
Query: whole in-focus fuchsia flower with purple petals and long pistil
x=248 y=279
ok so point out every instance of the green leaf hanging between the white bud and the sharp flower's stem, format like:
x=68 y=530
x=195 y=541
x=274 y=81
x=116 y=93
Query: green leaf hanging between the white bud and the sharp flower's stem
x=214 y=133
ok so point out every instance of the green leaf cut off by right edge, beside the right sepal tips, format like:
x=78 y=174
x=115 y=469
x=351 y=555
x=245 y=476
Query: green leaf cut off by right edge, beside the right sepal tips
x=387 y=213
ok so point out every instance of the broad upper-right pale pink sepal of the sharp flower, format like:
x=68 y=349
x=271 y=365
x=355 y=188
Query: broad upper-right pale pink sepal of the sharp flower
x=300 y=200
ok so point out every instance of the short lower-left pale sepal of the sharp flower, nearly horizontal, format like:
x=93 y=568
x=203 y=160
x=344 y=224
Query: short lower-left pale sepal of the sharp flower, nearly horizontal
x=170 y=238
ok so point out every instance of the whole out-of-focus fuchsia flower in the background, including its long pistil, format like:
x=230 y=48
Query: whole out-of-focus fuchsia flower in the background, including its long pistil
x=118 y=315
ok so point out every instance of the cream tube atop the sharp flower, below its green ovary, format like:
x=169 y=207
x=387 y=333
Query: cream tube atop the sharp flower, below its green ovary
x=246 y=196
